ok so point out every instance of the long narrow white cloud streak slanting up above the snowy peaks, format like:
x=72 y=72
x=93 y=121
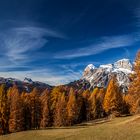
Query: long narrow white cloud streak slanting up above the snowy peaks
x=104 y=44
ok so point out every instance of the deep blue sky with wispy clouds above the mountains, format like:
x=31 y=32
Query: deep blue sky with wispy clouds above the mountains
x=53 y=40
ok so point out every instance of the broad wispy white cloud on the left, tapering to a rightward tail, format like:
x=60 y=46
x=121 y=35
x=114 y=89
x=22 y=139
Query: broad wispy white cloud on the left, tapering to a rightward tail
x=17 y=43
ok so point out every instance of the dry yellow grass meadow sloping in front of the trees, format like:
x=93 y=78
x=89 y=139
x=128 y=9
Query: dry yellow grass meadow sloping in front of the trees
x=123 y=128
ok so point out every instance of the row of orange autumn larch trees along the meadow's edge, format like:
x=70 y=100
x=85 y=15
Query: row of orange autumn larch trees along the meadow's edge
x=66 y=106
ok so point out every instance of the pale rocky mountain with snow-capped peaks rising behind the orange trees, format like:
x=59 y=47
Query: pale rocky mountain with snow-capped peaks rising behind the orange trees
x=99 y=77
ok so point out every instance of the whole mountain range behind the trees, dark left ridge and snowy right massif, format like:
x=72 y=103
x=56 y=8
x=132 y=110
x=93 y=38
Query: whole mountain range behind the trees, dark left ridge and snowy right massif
x=92 y=77
